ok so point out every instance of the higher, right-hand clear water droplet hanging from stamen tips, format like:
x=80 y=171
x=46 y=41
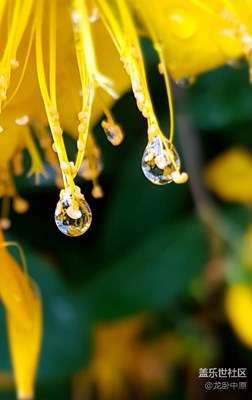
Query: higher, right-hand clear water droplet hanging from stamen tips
x=157 y=164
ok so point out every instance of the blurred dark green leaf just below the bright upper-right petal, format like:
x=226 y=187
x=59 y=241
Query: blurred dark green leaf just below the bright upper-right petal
x=221 y=99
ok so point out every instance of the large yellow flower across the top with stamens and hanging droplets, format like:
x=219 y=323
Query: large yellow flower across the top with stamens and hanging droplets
x=60 y=67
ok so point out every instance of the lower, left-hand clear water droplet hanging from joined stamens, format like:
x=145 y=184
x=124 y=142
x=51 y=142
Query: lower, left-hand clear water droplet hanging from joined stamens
x=72 y=217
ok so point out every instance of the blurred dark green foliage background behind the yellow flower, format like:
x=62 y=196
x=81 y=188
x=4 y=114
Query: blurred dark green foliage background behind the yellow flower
x=148 y=253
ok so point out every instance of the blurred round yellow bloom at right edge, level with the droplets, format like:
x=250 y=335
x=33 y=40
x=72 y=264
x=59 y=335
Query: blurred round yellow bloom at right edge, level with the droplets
x=230 y=176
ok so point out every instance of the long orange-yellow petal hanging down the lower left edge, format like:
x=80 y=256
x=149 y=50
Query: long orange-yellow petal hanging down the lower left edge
x=24 y=320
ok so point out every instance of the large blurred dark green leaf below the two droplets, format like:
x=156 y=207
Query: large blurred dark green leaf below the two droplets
x=149 y=274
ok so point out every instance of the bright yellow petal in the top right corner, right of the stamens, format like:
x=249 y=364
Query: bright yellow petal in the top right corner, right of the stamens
x=198 y=35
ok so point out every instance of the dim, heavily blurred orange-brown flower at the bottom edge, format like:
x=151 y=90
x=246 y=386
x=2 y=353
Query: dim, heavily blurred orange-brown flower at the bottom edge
x=123 y=361
